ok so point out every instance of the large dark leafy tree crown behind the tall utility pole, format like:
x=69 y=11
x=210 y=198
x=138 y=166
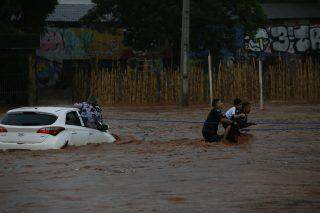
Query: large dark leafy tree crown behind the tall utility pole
x=152 y=25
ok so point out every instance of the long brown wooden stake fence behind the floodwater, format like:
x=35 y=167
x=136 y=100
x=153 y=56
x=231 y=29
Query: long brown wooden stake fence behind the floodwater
x=299 y=82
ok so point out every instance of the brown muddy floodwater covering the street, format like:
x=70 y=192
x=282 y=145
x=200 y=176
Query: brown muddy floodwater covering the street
x=153 y=168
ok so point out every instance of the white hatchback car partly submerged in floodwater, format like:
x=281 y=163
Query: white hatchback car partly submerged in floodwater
x=41 y=128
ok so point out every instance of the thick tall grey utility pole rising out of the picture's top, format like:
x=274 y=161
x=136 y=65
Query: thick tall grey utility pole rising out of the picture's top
x=184 y=96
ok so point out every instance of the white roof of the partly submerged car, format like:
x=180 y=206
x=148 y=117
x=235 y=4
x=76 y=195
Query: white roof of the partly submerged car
x=51 y=110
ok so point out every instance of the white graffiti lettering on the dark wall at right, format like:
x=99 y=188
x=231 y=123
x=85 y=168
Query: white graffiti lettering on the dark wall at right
x=298 y=39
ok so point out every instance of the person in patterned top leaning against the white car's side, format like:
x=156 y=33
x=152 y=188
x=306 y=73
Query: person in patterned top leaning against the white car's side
x=90 y=112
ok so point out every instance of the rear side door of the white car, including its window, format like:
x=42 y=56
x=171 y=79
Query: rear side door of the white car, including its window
x=78 y=133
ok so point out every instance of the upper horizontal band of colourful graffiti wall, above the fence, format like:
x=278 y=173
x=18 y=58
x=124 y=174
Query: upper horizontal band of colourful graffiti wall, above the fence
x=77 y=43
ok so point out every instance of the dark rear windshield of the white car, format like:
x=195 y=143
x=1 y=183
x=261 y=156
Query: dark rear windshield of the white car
x=28 y=119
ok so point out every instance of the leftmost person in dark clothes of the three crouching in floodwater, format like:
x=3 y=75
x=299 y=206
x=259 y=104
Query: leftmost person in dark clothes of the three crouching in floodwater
x=210 y=127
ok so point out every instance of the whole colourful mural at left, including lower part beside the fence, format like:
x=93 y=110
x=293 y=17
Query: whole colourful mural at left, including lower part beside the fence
x=59 y=44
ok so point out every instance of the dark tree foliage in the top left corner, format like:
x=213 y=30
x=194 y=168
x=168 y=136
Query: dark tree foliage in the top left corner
x=24 y=16
